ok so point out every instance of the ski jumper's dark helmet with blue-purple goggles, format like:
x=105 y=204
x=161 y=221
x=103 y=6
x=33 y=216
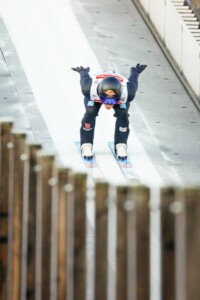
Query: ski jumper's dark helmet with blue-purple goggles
x=109 y=90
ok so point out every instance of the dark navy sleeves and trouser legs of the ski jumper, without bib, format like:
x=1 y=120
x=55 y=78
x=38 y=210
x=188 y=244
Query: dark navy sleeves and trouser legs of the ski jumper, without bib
x=121 y=114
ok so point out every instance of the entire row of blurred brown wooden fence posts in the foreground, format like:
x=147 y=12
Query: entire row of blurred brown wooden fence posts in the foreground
x=43 y=232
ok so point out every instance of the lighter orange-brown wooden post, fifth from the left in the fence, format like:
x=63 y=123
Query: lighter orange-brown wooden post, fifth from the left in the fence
x=65 y=189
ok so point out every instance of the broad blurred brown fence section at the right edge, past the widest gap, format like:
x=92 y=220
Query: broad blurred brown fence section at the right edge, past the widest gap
x=180 y=240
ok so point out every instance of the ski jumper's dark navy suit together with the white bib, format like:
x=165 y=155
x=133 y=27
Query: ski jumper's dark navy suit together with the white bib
x=93 y=104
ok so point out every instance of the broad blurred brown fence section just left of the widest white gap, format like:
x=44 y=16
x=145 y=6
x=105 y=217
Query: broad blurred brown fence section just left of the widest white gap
x=133 y=243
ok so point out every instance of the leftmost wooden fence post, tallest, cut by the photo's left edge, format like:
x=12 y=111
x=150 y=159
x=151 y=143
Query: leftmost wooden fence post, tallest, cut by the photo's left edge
x=5 y=168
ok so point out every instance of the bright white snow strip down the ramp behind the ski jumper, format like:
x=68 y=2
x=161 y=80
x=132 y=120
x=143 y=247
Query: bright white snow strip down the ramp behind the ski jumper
x=47 y=37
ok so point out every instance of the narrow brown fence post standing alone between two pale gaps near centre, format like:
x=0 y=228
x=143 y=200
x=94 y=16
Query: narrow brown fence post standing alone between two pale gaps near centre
x=101 y=241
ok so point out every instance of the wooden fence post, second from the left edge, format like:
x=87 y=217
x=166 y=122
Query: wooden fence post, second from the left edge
x=20 y=162
